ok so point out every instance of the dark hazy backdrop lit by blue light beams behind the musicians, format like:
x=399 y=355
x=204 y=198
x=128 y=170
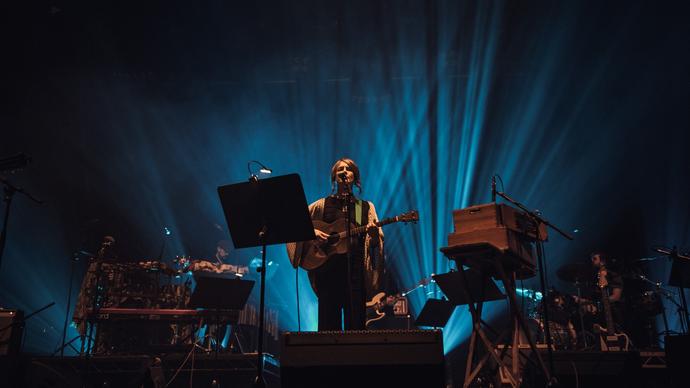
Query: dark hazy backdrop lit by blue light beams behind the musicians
x=135 y=113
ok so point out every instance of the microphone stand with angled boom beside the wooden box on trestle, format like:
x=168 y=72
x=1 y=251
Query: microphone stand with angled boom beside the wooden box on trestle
x=539 y=220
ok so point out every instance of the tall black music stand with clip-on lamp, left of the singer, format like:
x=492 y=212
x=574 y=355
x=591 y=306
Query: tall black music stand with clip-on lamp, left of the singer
x=266 y=212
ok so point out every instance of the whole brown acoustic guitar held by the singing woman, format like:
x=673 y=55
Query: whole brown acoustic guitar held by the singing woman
x=316 y=253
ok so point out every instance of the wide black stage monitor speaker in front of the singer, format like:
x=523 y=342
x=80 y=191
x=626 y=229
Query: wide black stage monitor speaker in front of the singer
x=377 y=358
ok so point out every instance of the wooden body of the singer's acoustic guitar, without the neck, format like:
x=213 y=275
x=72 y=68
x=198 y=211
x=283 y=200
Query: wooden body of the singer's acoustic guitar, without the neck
x=315 y=253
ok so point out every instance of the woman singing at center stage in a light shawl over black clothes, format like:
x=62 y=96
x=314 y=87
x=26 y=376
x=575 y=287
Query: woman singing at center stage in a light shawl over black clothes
x=337 y=293
